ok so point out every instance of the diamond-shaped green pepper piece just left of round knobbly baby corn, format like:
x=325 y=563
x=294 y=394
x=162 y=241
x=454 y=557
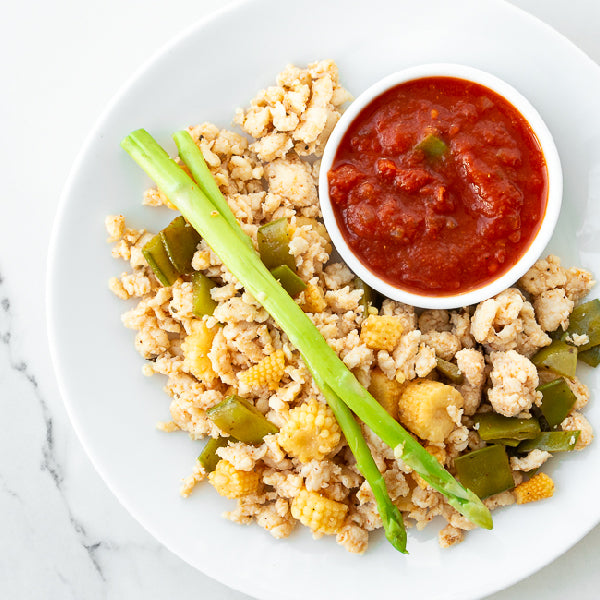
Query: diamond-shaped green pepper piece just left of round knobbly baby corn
x=239 y=418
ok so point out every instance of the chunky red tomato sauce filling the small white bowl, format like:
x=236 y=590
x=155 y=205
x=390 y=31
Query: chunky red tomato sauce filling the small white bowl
x=439 y=186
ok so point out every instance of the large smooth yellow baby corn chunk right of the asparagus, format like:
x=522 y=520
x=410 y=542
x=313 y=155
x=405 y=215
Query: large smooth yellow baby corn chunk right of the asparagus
x=423 y=409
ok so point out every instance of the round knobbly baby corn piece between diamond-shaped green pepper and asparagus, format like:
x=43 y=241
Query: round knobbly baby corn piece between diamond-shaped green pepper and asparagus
x=311 y=431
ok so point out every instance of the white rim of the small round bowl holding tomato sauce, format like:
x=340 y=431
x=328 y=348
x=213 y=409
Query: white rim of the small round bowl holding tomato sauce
x=555 y=185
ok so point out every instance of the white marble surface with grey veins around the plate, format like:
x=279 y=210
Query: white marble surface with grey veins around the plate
x=62 y=533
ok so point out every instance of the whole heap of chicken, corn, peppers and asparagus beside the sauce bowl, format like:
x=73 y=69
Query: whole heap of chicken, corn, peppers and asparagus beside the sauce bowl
x=271 y=380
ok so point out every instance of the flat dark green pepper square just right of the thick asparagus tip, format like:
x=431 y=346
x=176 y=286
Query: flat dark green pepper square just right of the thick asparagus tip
x=485 y=472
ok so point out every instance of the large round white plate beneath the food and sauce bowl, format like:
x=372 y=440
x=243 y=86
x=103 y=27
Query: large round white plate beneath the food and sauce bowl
x=204 y=75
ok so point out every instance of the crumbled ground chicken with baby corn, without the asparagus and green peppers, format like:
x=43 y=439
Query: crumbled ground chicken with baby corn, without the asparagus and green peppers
x=438 y=372
